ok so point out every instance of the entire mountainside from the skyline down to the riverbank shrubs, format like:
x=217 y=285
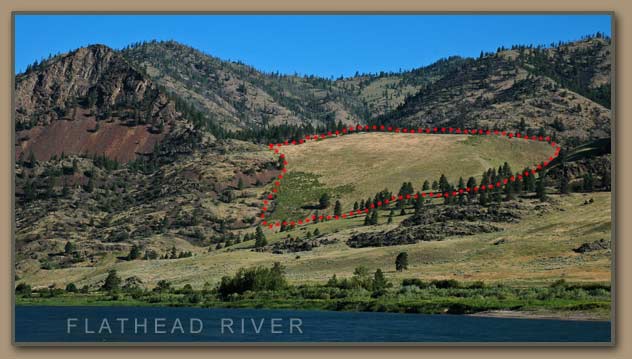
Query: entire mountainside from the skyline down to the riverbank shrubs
x=161 y=149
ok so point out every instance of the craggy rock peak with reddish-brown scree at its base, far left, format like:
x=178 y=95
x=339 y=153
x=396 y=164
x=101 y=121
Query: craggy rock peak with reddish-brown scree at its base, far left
x=92 y=101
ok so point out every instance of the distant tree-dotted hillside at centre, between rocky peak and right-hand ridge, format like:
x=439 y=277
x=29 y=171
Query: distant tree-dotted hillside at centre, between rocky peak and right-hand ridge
x=239 y=97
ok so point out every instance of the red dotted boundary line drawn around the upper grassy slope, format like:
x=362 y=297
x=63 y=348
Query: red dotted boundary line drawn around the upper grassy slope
x=268 y=197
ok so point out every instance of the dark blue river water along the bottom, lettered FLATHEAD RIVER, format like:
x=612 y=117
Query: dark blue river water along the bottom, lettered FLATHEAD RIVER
x=50 y=324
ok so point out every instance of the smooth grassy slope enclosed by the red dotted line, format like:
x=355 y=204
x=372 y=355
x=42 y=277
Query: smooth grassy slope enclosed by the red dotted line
x=355 y=167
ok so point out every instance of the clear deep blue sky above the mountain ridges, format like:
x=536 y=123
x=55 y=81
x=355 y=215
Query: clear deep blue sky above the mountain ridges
x=323 y=45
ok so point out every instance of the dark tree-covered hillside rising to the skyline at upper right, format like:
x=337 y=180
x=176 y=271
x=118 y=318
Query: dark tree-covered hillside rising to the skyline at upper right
x=562 y=89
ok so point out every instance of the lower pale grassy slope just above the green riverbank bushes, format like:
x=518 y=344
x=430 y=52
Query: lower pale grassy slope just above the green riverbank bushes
x=538 y=251
